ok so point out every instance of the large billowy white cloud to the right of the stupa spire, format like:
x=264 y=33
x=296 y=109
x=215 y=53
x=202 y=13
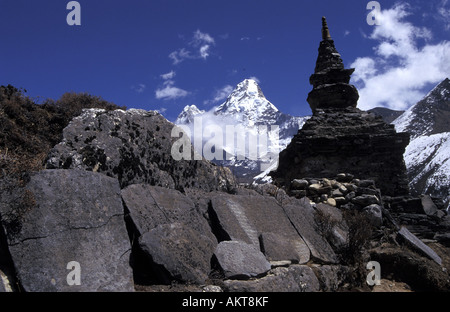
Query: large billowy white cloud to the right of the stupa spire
x=396 y=75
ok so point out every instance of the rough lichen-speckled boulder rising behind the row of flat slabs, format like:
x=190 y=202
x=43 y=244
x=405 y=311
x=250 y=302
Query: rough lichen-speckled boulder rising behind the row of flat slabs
x=135 y=147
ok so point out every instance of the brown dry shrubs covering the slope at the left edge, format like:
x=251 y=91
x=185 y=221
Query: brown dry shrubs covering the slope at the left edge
x=29 y=130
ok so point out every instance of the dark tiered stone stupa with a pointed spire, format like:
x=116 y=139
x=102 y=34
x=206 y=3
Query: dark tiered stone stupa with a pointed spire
x=339 y=137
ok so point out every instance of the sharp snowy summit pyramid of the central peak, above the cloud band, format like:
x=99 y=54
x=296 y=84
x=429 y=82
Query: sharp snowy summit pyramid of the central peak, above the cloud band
x=247 y=99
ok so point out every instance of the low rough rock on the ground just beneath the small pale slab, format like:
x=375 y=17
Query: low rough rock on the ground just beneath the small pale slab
x=295 y=278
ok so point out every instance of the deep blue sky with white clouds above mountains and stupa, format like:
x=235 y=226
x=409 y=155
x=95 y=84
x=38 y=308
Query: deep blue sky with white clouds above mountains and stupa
x=165 y=54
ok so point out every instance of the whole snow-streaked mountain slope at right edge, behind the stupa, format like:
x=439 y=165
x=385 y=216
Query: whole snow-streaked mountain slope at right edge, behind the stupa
x=427 y=157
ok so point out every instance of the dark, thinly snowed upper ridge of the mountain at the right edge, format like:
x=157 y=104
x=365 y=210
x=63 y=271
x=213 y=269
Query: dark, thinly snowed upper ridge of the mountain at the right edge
x=430 y=115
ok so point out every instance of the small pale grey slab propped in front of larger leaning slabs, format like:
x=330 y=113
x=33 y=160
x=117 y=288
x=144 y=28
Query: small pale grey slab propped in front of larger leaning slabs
x=240 y=260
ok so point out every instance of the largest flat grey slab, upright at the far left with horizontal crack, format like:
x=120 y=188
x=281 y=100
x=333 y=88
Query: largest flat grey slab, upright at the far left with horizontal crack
x=69 y=216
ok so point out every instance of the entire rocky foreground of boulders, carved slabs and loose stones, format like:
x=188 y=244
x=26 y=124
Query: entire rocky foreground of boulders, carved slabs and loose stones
x=113 y=200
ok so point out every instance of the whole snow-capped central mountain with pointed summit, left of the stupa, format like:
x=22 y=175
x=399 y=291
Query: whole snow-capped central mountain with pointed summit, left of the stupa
x=248 y=108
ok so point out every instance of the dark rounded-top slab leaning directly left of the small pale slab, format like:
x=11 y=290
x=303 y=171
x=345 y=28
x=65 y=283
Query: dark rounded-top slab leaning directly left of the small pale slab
x=184 y=252
